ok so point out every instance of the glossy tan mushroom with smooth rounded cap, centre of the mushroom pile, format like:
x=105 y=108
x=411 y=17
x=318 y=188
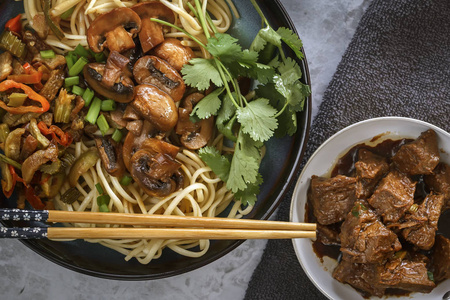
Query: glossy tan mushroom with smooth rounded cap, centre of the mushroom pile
x=155 y=106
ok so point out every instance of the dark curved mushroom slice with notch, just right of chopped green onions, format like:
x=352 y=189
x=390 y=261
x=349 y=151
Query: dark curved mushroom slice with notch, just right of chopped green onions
x=122 y=90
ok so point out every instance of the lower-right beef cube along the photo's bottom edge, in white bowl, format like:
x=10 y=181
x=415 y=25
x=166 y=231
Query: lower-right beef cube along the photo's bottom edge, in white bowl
x=406 y=275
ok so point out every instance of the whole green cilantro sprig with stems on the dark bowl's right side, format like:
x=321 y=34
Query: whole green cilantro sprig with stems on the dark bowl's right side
x=246 y=120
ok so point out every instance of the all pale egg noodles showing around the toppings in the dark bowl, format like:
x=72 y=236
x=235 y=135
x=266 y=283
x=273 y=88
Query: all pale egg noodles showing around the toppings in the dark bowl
x=204 y=194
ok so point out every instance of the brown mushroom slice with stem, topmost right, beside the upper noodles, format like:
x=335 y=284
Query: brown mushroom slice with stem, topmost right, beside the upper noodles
x=151 y=33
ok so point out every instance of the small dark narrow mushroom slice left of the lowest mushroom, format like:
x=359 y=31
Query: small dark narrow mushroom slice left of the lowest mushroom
x=111 y=156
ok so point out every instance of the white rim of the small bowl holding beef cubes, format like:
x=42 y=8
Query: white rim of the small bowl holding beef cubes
x=312 y=157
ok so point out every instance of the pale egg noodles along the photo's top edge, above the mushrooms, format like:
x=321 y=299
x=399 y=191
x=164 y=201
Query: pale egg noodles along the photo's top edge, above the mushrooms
x=86 y=11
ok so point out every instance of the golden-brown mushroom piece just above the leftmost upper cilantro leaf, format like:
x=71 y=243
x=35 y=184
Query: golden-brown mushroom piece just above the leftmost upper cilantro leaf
x=172 y=51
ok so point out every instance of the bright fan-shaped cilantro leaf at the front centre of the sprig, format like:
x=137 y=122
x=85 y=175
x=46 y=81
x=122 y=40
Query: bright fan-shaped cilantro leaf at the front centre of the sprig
x=257 y=119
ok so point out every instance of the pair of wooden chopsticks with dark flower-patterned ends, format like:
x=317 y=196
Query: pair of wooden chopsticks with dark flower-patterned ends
x=174 y=227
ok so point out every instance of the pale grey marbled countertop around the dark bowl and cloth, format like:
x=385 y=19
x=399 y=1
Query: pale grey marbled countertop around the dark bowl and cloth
x=326 y=27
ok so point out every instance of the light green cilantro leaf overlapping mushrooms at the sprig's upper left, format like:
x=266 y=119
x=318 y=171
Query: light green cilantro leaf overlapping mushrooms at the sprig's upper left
x=200 y=72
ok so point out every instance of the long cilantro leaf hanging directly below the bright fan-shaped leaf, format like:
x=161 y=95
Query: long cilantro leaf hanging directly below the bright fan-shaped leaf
x=244 y=168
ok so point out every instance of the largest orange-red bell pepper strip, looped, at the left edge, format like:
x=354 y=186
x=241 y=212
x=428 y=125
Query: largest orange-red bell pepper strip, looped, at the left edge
x=9 y=84
